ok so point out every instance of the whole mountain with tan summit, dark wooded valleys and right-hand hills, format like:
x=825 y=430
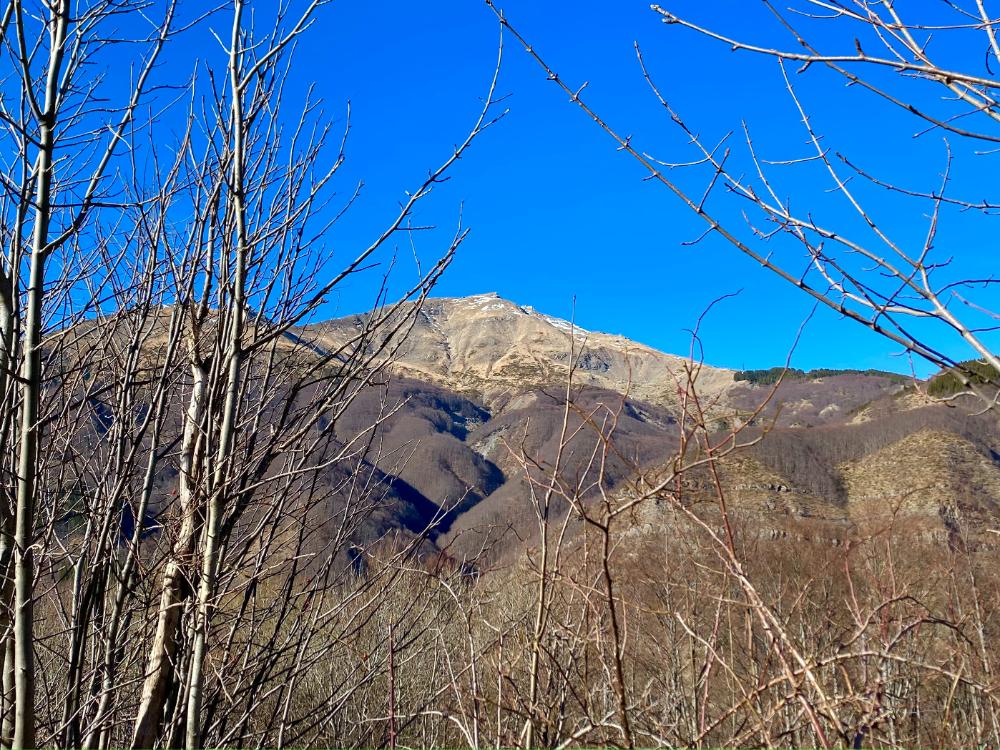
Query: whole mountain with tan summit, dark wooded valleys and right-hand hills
x=471 y=425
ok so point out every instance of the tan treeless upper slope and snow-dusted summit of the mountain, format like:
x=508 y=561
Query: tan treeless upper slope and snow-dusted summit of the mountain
x=494 y=350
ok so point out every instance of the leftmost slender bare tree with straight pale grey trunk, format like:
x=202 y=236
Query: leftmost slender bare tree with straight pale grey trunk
x=62 y=161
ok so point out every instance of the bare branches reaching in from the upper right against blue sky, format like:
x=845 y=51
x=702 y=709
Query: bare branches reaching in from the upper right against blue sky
x=915 y=295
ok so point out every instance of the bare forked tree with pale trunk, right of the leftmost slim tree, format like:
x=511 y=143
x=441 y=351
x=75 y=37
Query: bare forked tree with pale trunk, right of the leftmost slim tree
x=257 y=258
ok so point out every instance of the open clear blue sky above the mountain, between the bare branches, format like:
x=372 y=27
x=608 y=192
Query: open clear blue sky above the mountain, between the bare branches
x=556 y=212
